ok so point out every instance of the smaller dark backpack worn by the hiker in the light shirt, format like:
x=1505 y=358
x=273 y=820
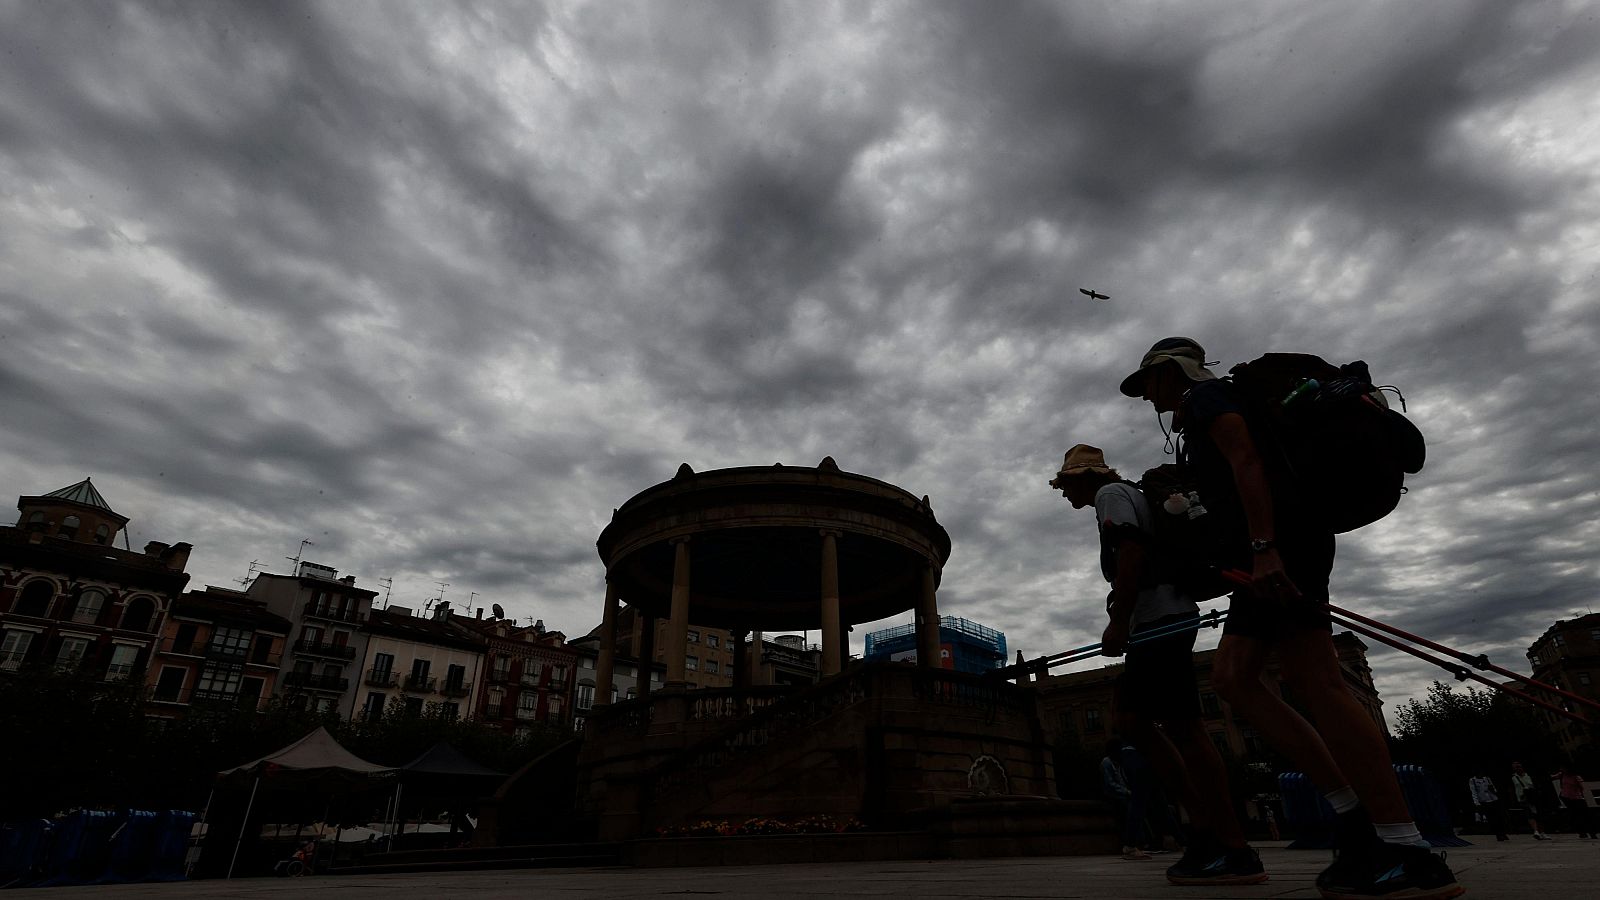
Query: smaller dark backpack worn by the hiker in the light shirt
x=1190 y=545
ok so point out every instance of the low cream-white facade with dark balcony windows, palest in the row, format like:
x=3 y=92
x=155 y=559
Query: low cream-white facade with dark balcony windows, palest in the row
x=425 y=665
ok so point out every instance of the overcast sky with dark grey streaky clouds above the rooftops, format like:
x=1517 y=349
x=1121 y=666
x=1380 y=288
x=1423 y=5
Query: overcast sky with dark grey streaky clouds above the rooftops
x=438 y=287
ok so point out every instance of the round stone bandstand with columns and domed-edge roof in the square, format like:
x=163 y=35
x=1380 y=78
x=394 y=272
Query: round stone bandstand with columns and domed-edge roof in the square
x=910 y=749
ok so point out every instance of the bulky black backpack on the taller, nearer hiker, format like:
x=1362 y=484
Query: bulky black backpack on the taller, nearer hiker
x=1335 y=436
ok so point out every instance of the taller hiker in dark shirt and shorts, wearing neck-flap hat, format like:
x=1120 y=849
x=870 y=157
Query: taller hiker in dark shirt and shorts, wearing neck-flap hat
x=1287 y=552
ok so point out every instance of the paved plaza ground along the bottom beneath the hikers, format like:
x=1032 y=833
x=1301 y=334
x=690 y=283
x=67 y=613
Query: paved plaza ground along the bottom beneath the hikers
x=1519 y=870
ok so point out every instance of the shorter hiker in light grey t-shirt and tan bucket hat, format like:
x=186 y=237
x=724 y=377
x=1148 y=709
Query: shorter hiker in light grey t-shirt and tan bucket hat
x=1158 y=683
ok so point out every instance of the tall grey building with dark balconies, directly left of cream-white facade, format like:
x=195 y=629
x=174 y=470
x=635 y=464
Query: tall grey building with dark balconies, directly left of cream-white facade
x=327 y=614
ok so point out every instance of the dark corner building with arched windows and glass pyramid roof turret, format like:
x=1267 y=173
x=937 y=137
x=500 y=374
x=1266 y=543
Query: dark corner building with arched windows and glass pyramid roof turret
x=71 y=600
